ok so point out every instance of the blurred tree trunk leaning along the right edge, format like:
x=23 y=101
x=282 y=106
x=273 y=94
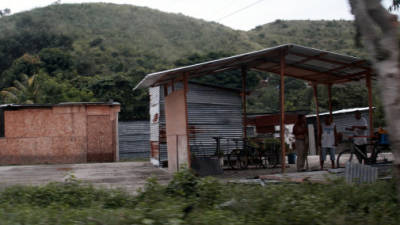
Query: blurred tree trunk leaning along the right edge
x=378 y=29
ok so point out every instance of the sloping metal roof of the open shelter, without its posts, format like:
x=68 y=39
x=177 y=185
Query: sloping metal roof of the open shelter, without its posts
x=301 y=62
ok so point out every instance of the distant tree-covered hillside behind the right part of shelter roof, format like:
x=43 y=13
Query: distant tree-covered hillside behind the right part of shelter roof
x=334 y=35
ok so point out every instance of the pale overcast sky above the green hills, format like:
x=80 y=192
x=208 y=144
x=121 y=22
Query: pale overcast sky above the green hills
x=238 y=14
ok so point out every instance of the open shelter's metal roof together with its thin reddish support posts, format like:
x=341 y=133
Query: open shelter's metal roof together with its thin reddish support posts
x=309 y=64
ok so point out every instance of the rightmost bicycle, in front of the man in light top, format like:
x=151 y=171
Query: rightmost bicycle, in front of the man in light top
x=347 y=155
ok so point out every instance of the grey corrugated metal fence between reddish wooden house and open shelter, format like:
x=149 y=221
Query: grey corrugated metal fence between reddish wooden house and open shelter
x=134 y=139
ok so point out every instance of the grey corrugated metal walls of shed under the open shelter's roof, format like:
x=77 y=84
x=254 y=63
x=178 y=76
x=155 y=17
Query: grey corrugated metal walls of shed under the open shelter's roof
x=212 y=112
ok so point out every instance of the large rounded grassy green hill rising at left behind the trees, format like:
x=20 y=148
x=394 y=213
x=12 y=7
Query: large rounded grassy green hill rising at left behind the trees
x=110 y=34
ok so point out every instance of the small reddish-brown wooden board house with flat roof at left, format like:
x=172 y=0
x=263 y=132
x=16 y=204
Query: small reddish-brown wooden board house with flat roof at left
x=61 y=133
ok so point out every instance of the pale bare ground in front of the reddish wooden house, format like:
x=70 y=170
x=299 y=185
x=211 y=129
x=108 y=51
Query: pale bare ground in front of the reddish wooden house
x=127 y=175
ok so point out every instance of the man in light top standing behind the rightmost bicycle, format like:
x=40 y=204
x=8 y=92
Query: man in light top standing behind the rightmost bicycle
x=360 y=133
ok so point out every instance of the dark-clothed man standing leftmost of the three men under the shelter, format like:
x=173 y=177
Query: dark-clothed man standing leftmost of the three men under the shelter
x=301 y=134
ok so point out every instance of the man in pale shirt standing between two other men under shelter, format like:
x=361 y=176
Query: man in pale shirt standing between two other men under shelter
x=328 y=141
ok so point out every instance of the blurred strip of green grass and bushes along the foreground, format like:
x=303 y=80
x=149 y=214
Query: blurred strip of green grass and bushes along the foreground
x=191 y=200
